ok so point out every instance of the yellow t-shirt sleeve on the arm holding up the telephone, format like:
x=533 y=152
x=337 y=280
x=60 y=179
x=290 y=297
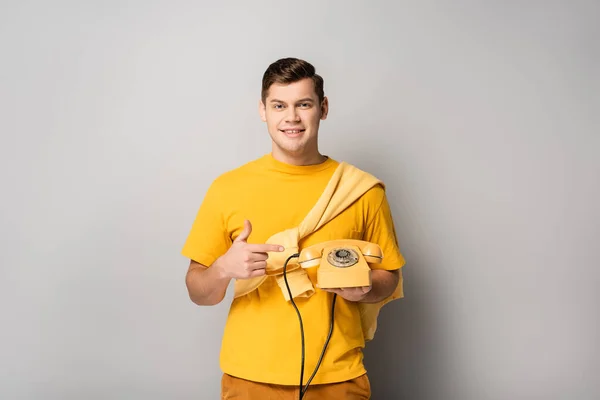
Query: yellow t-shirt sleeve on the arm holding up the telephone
x=380 y=229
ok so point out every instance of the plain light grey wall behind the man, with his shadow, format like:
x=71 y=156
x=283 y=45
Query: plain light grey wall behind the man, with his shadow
x=482 y=118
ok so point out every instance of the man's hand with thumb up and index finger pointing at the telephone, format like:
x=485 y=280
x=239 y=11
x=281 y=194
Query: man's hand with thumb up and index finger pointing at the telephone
x=244 y=260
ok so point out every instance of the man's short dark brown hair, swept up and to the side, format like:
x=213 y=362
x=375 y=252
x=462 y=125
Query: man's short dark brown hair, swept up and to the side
x=290 y=70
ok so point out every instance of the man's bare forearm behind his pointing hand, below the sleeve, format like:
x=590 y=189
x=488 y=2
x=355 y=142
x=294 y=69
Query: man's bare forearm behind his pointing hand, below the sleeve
x=206 y=286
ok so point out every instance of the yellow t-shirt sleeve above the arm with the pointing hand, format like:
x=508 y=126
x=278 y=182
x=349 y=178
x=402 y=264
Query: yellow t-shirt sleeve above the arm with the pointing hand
x=208 y=238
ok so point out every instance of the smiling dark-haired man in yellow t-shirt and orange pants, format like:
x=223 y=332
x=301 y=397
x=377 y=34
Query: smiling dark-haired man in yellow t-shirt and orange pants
x=242 y=209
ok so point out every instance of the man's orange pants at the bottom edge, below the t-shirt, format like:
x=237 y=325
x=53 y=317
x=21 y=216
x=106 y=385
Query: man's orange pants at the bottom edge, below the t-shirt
x=240 y=389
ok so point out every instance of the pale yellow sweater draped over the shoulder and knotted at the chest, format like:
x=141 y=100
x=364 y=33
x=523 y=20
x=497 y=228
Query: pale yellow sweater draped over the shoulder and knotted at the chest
x=347 y=184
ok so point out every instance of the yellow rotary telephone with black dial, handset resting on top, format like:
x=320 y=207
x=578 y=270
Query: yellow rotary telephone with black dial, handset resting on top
x=342 y=263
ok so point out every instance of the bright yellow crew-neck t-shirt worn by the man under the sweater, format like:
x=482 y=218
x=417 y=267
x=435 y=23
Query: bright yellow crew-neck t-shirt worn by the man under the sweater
x=261 y=340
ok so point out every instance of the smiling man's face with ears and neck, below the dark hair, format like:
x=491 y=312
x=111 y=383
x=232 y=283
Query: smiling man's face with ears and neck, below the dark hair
x=293 y=113
